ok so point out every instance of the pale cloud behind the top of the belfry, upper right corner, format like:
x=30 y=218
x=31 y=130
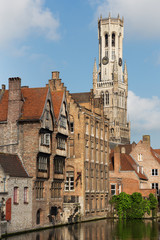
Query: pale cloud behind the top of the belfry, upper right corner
x=141 y=17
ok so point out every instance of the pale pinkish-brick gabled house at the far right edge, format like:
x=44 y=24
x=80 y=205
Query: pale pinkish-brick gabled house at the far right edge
x=149 y=160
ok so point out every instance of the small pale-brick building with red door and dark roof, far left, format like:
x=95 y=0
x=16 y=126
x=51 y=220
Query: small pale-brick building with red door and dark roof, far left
x=15 y=194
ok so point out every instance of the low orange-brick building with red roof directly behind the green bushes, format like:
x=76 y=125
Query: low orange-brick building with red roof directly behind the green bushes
x=125 y=174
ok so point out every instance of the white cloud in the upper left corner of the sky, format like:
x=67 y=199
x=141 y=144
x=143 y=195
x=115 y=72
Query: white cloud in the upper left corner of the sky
x=21 y=18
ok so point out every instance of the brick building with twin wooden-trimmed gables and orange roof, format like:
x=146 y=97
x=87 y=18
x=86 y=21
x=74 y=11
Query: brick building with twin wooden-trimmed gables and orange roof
x=34 y=124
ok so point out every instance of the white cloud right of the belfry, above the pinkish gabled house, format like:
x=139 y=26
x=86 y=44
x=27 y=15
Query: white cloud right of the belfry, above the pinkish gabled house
x=144 y=113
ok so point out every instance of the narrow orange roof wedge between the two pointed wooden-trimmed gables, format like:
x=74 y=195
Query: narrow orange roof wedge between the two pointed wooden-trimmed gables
x=57 y=97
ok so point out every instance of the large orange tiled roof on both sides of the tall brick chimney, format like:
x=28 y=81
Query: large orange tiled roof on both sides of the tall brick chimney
x=33 y=103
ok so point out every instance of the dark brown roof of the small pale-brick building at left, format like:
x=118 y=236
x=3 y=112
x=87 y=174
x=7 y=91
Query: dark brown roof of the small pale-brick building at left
x=12 y=165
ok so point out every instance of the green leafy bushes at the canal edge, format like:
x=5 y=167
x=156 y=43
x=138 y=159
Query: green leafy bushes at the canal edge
x=133 y=206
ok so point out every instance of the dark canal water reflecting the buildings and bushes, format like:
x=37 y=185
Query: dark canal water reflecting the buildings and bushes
x=99 y=230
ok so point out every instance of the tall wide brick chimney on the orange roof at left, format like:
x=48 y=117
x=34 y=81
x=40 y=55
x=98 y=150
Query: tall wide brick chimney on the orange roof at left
x=14 y=99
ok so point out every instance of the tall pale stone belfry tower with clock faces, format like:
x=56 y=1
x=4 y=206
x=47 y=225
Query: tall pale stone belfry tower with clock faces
x=110 y=81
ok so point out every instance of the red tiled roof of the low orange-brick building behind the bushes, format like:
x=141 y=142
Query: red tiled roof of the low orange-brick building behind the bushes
x=126 y=164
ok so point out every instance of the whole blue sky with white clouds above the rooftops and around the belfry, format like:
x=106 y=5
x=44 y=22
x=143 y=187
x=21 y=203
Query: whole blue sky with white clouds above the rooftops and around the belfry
x=41 y=36
